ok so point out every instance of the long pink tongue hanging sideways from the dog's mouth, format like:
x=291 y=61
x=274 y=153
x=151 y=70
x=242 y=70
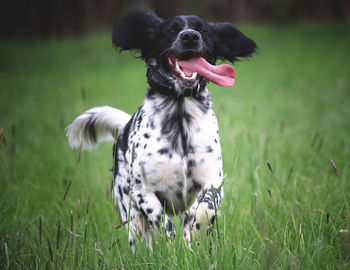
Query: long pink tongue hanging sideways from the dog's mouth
x=222 y=75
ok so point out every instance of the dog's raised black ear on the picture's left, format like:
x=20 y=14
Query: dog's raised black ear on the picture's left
x=137 y=31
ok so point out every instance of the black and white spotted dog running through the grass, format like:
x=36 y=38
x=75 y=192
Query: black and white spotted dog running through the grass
x=167 y=155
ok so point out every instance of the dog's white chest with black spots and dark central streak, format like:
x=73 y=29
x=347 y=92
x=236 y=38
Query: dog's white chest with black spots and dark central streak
x=174 y=153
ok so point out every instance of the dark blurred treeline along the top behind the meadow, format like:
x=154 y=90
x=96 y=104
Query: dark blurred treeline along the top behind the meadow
x=43 y=18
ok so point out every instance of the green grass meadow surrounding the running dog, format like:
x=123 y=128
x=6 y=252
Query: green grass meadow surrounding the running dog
x=290 y=108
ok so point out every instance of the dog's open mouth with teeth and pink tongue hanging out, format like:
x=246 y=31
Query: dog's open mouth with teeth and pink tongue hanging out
x=189 y=64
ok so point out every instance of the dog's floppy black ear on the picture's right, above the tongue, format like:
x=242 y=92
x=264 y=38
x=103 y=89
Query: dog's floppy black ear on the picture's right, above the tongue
x=230 y=43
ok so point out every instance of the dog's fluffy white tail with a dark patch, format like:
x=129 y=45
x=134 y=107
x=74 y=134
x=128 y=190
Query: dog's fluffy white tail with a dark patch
x=96 y=125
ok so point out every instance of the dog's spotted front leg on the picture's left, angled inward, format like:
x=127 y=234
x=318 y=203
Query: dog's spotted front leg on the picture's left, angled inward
x=154 y=211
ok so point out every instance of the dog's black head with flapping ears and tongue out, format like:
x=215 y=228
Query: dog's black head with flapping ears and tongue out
x=183 y=49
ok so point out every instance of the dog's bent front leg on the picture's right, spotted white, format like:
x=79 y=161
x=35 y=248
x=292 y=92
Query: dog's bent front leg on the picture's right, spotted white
x=206 y=207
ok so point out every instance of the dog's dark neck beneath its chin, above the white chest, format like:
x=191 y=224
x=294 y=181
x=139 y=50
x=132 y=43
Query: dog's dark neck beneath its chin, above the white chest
x=162 y=83
